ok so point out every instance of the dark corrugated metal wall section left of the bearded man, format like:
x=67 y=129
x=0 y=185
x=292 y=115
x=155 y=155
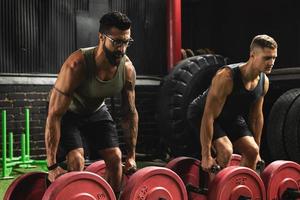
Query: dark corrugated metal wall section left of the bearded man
x=36 y=36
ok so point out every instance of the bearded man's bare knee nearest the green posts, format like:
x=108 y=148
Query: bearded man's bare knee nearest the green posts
x=75 y=160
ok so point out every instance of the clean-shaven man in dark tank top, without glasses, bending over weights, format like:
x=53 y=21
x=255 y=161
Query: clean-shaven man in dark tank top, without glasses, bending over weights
x=228 y=115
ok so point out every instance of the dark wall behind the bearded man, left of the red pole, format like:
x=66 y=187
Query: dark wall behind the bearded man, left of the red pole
x=37 y=36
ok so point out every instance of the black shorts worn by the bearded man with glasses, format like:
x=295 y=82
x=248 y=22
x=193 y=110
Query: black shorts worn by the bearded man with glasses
x=92 y=132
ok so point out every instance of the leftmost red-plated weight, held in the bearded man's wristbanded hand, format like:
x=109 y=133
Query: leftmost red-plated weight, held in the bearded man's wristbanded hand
x=72 y=185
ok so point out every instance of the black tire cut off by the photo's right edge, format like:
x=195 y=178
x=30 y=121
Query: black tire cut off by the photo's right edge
x=283 y=129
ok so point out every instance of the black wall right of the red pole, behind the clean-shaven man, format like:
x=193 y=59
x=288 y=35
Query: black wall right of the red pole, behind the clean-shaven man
x=227 y=27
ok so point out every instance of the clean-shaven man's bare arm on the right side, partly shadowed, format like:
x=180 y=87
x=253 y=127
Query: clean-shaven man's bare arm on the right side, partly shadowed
x=256 y=118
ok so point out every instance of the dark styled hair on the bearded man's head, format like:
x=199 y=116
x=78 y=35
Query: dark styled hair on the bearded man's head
x=114 y=19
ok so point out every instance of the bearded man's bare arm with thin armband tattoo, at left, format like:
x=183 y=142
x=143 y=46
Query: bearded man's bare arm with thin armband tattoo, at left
x=67 y=81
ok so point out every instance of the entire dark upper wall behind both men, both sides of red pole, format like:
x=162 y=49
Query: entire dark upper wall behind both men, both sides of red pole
x=37 y=36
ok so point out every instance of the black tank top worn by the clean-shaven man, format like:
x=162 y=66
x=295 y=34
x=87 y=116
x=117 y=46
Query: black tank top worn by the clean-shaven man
x=237 y=103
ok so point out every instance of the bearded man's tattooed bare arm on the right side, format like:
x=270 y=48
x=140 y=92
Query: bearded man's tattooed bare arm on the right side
x=129 y=112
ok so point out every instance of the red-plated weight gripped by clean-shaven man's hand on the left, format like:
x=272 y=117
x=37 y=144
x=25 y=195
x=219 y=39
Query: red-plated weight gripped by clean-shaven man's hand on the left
x=233 y=182
